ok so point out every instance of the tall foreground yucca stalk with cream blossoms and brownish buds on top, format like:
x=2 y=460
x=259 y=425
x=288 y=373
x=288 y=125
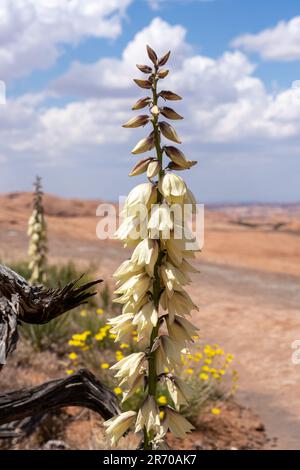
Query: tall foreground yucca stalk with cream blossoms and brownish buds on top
x=150 y=284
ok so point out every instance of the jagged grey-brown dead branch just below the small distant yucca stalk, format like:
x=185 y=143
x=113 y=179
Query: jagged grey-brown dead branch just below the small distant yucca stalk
x=20 y=302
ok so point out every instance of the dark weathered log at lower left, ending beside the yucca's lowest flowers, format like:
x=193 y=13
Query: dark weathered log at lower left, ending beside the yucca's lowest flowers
x=80 y=389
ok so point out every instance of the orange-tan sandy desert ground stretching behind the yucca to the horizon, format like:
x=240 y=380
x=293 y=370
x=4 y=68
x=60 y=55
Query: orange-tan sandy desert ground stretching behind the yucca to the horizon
x=248 y=289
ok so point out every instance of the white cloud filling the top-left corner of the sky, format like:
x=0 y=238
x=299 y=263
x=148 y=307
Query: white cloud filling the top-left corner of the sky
x=32 y=31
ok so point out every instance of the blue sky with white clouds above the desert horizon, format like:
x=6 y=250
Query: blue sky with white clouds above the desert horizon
x=65 y=102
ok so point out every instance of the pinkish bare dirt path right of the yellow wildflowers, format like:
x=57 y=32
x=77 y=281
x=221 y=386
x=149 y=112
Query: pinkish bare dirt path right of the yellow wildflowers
x=256 y=316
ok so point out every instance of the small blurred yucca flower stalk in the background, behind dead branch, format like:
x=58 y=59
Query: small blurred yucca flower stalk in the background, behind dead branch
x=37 y=231
